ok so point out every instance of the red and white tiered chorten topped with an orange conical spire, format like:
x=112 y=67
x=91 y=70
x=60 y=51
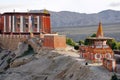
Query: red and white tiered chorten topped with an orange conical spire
x=97 y=49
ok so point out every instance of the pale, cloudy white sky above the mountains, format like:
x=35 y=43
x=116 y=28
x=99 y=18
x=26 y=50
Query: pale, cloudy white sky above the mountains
x=81 y=6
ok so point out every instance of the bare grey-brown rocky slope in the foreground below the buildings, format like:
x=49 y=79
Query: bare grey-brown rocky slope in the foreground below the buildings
x=54 y=65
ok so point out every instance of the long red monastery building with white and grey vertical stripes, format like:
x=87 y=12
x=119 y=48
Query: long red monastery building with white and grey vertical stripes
x=24 y=22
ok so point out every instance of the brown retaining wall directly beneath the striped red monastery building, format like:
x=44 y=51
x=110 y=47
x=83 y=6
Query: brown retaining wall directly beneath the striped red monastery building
x=10 y=41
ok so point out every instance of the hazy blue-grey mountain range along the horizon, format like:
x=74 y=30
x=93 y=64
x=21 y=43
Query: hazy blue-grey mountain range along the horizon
x=70 y=19
